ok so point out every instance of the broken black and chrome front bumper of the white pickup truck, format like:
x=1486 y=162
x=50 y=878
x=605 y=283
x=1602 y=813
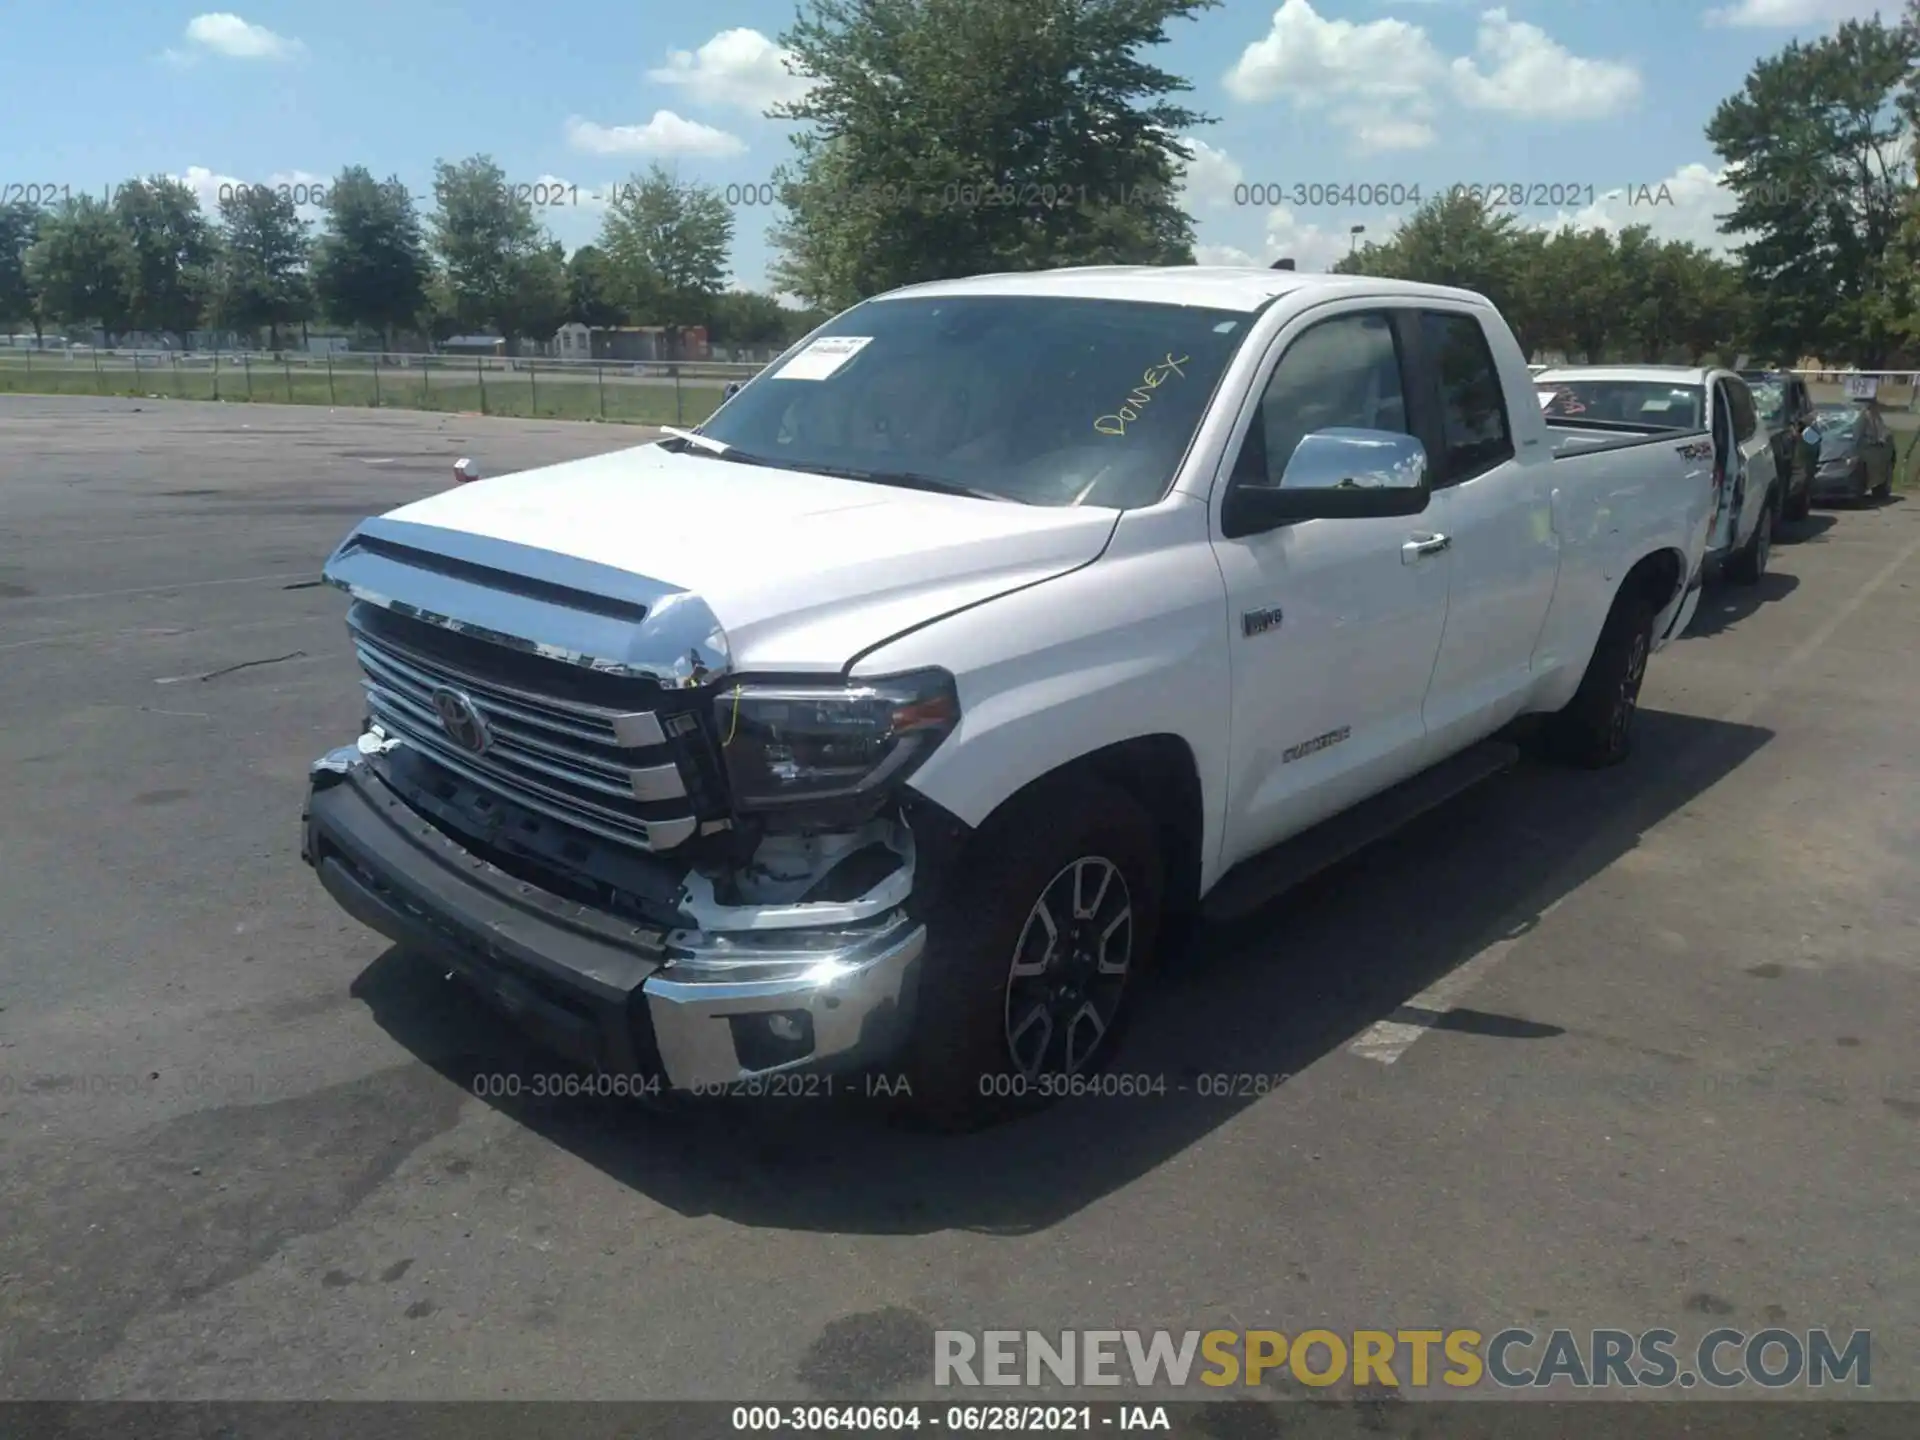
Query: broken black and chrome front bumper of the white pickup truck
x=698 y=1009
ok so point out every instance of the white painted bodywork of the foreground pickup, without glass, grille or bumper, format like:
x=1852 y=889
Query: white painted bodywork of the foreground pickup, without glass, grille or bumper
x=1076 y=629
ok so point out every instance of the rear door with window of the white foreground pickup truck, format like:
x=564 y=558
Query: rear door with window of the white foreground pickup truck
x=1497 y=514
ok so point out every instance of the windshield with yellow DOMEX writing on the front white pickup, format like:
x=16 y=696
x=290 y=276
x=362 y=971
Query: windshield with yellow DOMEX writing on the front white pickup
x=1042 y=400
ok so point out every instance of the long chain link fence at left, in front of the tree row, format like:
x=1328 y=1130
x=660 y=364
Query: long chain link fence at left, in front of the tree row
x=636 y=393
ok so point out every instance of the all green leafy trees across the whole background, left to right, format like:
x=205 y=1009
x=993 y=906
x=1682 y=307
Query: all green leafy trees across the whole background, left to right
x=953 y=137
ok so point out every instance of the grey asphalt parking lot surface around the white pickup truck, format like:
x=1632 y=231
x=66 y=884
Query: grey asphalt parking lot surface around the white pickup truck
x=1614 y=1049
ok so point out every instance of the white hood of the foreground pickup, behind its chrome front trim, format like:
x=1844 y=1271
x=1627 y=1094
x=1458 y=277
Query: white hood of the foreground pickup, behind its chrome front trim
x=800 y=571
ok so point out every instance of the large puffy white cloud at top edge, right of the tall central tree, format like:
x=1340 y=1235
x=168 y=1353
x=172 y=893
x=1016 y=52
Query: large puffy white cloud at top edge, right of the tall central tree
x=1381 y=78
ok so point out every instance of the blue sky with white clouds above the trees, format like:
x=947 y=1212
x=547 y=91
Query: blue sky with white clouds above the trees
x=1579 y=99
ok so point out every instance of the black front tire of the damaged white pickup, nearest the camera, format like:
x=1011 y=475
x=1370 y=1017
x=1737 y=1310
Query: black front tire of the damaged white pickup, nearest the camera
x=965 y=1059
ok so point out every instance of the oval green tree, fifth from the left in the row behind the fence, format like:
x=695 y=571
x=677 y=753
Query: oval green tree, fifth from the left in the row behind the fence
x=370 y=266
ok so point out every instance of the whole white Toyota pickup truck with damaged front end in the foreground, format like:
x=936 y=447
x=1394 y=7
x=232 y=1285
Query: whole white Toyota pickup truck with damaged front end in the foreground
x=894 y=719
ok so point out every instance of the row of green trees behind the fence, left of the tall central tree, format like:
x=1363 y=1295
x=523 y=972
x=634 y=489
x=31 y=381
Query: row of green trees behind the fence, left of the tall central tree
x=149 y=260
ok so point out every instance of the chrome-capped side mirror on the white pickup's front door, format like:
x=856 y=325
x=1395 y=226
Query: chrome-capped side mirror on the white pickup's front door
x=1335 y=475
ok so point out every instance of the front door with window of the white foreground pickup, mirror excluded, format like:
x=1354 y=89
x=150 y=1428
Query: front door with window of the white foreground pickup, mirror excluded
x=1333 y=623
